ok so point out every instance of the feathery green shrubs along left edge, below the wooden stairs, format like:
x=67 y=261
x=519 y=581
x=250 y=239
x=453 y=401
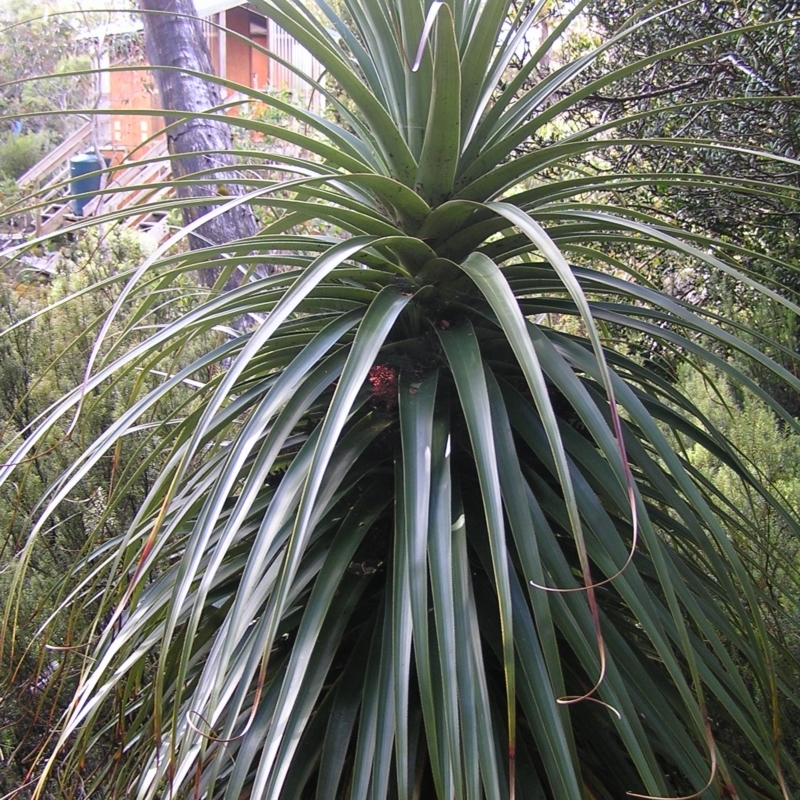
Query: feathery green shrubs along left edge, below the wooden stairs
x=51 y=324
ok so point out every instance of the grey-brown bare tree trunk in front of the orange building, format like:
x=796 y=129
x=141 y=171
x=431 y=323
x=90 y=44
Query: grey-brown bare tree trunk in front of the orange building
x=178 y=41
